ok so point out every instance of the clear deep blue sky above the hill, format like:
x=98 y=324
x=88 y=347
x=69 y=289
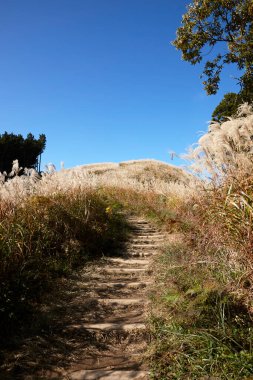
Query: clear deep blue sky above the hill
x=100 y=79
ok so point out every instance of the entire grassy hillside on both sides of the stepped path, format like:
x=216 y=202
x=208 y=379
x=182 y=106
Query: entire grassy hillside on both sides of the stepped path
x=201 y=317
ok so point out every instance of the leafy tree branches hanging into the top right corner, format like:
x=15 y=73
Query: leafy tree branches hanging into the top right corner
x=226 y=22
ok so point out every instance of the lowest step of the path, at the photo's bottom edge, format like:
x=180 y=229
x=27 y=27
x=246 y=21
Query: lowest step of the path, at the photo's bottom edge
x=108 y=375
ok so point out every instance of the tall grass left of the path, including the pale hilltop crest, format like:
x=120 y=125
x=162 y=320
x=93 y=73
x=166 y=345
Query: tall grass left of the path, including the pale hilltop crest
x=51 y=225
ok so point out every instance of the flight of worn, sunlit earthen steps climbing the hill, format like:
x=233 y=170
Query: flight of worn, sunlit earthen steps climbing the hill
x=119 y=290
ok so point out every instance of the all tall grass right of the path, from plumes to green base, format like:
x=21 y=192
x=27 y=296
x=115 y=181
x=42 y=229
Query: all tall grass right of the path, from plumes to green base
x=202 y=304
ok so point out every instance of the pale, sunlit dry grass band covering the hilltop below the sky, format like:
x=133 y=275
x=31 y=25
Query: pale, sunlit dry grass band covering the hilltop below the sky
x=138 y=175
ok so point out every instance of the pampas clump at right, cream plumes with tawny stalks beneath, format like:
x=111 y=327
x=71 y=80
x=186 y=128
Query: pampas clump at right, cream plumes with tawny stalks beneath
x=222 y=217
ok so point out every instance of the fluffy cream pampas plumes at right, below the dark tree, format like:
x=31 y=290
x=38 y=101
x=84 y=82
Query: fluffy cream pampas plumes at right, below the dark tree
x=226 y=147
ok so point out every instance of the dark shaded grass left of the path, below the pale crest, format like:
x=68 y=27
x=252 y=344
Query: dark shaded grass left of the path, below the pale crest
x=46 y=237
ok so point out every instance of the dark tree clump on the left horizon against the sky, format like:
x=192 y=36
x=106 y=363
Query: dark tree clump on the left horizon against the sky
x=26 y=150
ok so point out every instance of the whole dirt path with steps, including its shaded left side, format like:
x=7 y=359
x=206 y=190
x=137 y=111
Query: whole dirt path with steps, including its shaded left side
x=96 y=330
